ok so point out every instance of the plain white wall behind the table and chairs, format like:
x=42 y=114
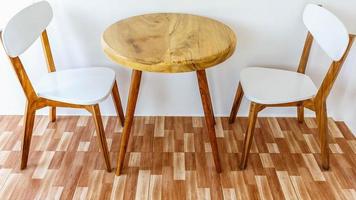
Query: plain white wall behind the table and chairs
x=269 y=32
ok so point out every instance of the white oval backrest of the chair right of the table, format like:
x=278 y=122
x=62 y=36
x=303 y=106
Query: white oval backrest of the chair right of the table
x=328 y=31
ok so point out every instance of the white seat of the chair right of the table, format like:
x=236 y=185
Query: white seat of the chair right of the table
x=275 y=86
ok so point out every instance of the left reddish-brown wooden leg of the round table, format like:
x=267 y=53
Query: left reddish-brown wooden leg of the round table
x=130 y=110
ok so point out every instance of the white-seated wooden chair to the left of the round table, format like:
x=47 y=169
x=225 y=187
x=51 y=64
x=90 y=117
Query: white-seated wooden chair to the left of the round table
x=76 y=88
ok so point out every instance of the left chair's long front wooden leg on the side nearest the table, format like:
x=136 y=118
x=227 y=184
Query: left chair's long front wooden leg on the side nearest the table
x=95 y=110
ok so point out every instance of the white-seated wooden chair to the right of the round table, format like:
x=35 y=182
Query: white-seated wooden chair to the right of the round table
x=267 y=87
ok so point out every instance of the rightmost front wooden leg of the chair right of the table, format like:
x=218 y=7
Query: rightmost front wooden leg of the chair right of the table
x=322 y=119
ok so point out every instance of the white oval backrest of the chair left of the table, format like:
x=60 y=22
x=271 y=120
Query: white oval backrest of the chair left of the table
x=25 y=28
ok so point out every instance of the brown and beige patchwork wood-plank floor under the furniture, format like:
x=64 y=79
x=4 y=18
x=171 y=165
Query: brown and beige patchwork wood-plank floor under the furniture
x=170 y=158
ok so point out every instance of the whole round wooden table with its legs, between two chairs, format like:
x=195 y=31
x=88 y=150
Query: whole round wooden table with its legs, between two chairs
x=168 y=43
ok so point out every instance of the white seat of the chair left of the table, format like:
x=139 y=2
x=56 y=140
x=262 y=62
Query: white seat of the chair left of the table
x=84 y=86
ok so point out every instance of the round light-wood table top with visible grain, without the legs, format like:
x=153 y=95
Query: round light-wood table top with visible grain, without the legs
x=168 y=42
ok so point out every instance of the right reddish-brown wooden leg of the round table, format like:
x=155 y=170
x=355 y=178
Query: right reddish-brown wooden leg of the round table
x=204 y=92
